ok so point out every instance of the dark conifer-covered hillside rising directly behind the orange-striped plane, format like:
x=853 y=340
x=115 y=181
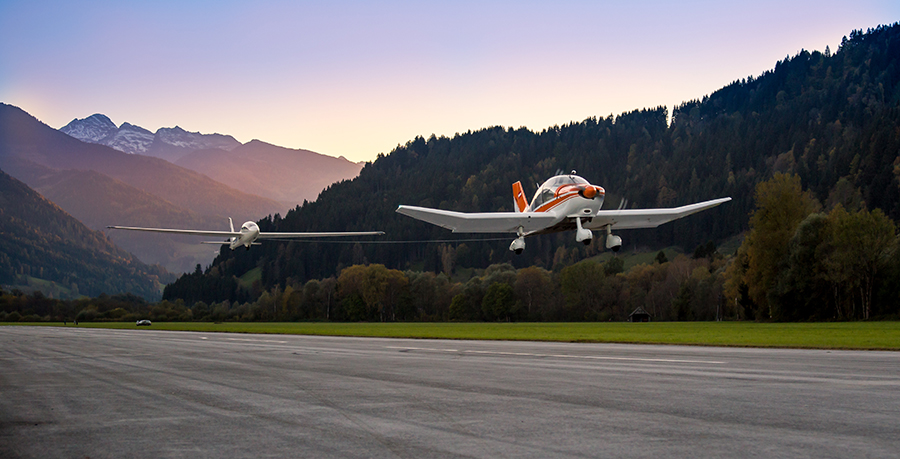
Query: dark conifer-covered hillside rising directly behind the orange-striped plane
x=831 y=119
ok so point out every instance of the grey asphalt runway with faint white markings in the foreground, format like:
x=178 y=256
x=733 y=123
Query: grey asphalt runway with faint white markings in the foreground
x=75 y=393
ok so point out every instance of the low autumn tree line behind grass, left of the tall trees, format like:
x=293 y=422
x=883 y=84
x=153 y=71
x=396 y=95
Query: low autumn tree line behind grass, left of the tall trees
x=586 y=291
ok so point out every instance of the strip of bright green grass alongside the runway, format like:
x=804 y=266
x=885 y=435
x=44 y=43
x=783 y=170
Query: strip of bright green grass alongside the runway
x=839 y=335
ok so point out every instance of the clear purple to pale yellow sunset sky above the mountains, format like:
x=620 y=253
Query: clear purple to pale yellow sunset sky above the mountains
x=358 y=78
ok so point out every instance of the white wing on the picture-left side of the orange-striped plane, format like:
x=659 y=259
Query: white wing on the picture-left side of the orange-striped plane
x=483 y=222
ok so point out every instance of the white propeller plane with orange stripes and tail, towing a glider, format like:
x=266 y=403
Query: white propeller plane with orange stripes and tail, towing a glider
x=562 y=203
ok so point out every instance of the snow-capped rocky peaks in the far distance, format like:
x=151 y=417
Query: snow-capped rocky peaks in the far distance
x=167 y=143
